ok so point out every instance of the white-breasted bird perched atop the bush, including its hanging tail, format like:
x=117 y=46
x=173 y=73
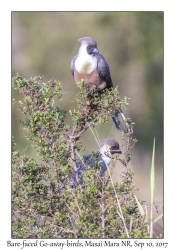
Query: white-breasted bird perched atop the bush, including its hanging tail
x=92 y=67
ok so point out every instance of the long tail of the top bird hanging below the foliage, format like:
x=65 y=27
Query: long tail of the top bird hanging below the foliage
x=120 y=122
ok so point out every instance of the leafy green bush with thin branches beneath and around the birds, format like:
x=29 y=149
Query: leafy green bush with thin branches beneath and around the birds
x=46 y=203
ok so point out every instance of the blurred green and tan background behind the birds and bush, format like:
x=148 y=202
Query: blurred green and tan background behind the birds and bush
x=43 y=44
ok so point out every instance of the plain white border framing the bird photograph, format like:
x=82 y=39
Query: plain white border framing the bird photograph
x=5 y=96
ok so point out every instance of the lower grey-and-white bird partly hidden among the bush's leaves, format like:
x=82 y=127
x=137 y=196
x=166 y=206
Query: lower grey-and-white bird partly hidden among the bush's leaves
x=108 y=148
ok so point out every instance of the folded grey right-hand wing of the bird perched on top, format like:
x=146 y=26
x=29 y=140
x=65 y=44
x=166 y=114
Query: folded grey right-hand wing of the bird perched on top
x=103 y=70
